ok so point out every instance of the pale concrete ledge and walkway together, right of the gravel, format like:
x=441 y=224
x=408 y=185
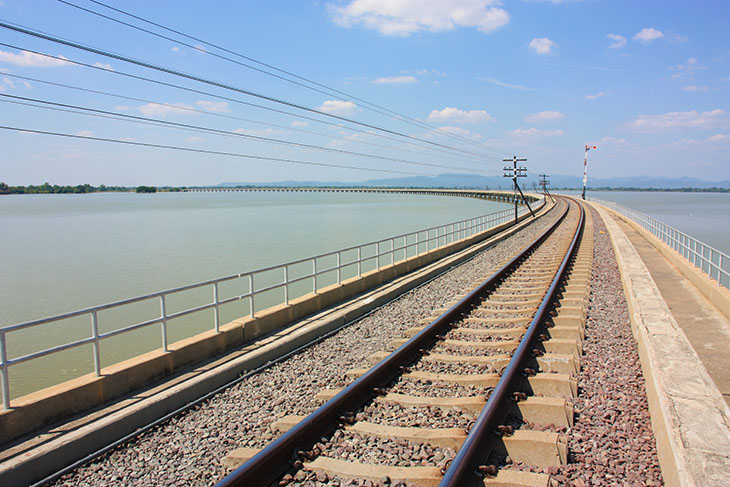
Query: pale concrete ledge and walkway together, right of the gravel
x=689 y=415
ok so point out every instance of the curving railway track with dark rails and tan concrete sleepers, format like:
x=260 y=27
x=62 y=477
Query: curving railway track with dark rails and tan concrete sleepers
x=480 y=393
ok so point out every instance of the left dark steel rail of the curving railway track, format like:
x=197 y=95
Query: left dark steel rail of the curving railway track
x=273 y=461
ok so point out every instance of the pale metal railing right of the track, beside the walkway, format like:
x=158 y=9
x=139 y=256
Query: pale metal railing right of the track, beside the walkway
x=711 y=261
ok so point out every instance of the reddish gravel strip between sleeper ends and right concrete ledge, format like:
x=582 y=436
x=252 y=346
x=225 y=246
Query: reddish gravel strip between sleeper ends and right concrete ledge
x=611 y=442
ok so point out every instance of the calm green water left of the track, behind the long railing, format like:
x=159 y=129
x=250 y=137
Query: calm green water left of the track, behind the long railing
x=60 y=253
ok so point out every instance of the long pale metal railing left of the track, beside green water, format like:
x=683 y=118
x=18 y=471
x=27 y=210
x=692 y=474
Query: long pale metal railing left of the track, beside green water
x=351 y=260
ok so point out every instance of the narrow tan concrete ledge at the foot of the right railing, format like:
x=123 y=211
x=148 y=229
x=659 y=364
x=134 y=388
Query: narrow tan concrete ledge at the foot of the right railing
x=711 y=289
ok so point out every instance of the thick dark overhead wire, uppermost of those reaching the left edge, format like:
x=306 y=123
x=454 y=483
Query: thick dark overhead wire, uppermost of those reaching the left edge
x=105 y=53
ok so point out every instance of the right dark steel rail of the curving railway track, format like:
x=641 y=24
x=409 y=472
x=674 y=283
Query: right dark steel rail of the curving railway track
x=463 y=470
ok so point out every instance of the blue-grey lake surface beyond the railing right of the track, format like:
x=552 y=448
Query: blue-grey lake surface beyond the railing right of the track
x=704 y=216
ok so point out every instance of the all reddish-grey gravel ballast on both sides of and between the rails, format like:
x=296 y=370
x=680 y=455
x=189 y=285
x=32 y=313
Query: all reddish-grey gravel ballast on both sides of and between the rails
x=611 y=442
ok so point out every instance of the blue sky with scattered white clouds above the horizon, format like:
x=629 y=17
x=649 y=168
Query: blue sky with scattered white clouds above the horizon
x=647 y=82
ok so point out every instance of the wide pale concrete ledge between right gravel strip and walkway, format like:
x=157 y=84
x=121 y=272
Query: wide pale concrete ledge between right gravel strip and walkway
x=690 y=419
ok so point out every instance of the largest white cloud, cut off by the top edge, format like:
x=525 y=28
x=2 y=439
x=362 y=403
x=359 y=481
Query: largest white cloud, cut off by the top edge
x=406 y=17
